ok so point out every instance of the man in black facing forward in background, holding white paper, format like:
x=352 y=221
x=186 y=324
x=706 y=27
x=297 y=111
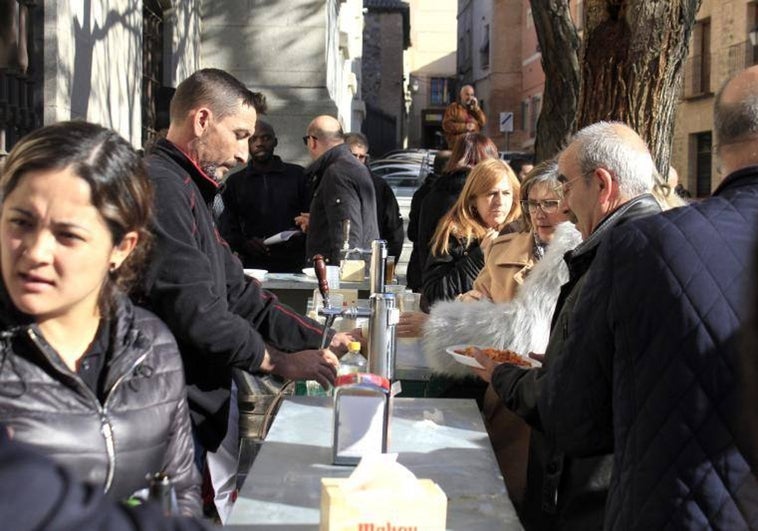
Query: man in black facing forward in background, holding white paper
x=261 y=201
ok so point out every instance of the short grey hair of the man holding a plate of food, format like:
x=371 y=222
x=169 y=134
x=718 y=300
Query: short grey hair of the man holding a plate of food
x=603 y=145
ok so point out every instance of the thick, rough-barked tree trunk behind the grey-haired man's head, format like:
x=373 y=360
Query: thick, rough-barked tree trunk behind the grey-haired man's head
x=632 y=66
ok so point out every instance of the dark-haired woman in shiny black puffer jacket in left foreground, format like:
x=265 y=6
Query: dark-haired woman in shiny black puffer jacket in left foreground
x=86 y=377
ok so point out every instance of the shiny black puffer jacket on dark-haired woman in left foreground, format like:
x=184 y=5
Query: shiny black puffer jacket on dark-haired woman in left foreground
x=141 y=427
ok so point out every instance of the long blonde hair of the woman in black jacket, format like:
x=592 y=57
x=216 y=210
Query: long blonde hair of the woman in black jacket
x=462 y=221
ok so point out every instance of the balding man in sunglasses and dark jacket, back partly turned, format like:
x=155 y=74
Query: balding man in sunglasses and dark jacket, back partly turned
x=342 y=190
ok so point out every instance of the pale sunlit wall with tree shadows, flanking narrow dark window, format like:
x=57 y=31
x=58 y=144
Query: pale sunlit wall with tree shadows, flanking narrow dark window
x=93 y=60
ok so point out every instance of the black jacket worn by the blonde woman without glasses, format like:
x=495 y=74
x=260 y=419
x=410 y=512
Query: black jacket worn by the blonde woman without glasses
x=452 y=273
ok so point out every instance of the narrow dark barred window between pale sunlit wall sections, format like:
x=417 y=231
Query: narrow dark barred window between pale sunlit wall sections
x=152 y=65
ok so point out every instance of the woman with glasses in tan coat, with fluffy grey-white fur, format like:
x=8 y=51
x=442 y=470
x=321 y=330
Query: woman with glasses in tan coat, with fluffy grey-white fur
x=511 y=308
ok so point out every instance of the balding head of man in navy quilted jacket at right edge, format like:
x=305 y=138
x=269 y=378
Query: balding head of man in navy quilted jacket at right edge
x=735 y=117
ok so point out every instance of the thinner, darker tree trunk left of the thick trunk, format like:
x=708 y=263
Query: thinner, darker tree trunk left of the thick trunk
x=559 y=43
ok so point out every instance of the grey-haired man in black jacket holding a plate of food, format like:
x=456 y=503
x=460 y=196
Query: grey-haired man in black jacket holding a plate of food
x=607 y=176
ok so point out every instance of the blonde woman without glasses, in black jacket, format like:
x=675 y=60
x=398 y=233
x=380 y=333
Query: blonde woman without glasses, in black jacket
x=488 y=201
